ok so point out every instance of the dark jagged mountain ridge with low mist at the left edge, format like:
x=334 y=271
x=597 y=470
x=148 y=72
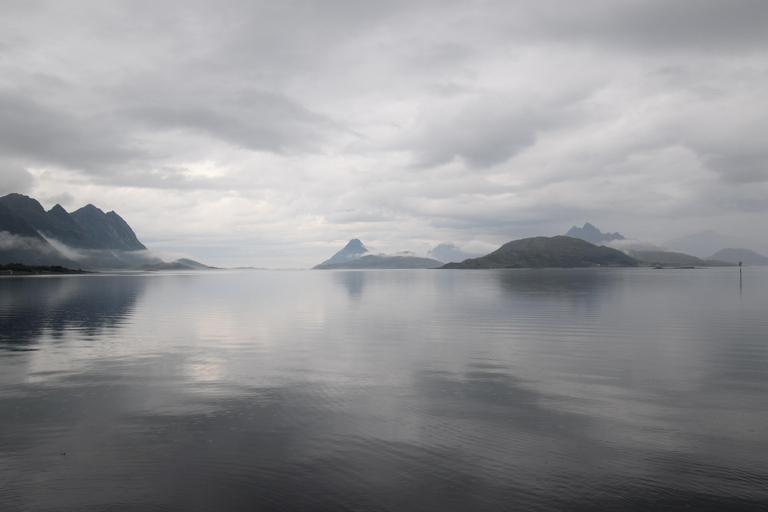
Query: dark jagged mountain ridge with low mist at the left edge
x=87 y=238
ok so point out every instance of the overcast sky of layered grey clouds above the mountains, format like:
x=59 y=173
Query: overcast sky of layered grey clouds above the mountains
x=268 y=134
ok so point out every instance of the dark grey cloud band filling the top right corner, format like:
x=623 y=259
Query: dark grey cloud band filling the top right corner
x=698 y=25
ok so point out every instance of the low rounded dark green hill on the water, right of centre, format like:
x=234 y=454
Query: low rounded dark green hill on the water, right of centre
x=542 y=252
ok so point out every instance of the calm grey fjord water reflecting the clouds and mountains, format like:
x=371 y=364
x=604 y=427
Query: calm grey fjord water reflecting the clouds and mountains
x=594 y=389
